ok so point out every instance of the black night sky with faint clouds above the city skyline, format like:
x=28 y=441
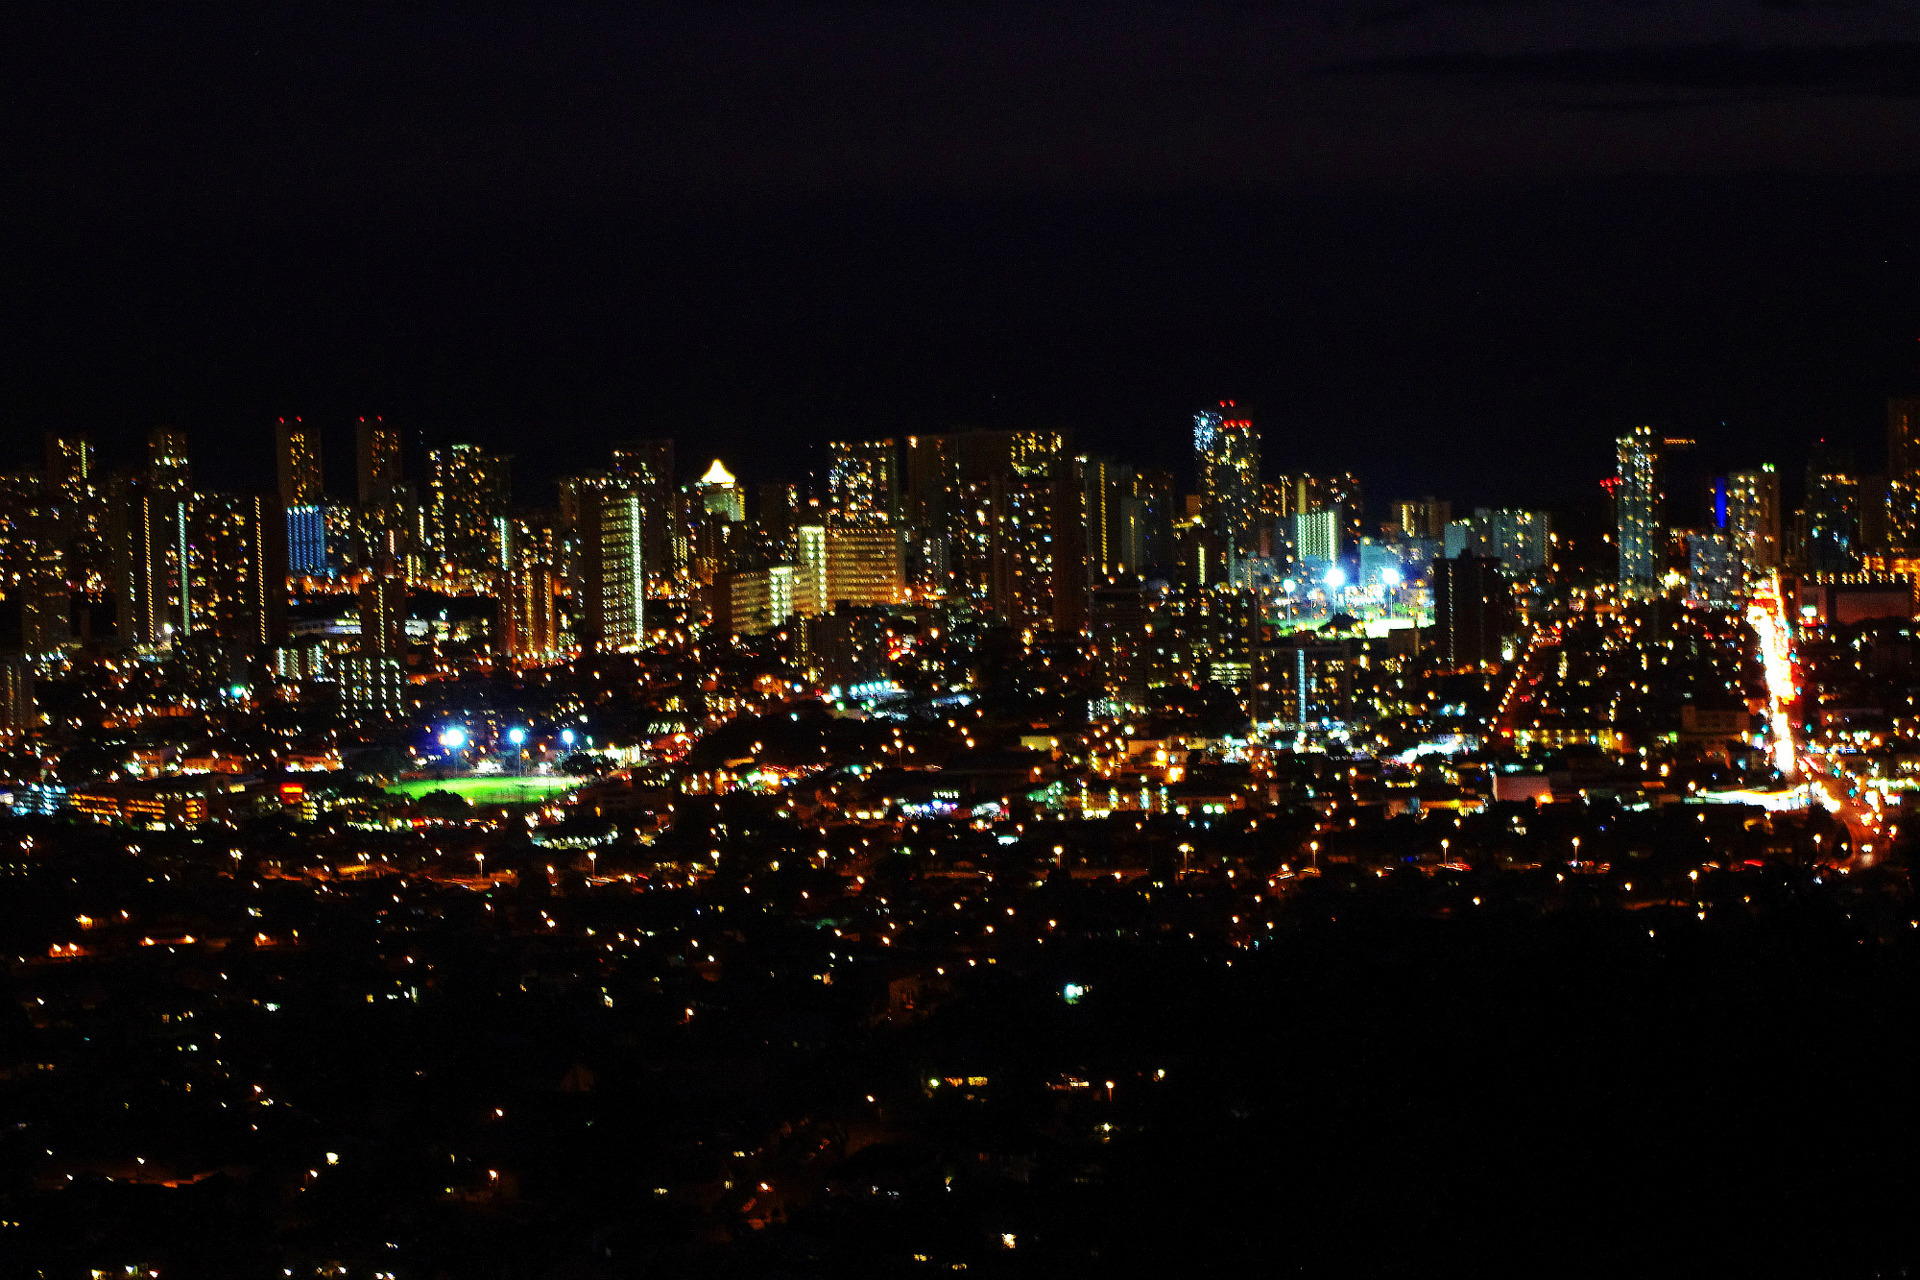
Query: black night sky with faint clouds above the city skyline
x=1451 y=247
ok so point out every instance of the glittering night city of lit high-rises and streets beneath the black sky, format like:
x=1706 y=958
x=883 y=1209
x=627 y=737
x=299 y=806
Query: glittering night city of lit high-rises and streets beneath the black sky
x=896 y=738
